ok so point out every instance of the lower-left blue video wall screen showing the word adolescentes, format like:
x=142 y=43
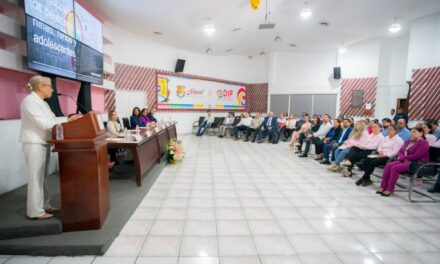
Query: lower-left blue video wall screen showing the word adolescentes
x=50 y=50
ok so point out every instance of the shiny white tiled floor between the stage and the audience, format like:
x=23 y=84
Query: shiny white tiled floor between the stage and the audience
x=232 y=202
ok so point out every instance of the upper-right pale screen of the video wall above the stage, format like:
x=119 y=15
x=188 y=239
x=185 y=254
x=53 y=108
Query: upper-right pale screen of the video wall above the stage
x=88 y=29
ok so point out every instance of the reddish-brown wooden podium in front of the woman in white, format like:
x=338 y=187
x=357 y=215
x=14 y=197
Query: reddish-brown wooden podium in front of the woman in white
x=83 y=174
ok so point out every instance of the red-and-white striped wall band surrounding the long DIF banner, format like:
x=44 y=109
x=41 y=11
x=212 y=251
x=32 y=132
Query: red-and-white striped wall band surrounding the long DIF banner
x=137 y=78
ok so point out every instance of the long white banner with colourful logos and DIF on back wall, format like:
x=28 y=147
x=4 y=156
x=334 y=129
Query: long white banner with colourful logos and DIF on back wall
x=175 y=92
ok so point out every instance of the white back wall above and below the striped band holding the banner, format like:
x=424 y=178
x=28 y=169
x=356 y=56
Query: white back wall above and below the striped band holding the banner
x=132 y=49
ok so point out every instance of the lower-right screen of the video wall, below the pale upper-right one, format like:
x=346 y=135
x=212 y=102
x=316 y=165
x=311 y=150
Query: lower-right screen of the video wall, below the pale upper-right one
x=89 y=64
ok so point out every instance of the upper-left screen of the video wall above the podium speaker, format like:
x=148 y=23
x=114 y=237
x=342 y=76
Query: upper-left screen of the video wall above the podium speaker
x=56 y=13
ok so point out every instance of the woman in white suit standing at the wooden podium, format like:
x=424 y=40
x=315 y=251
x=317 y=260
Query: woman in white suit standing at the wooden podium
x=37 y=120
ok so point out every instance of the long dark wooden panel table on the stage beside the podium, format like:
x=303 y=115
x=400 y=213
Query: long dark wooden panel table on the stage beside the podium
x=148 y=150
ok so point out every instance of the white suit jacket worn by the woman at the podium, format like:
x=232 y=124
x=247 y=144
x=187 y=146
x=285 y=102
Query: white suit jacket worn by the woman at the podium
x=36 y=120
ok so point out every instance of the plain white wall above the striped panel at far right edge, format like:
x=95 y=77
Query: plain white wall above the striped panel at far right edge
x=424 y=44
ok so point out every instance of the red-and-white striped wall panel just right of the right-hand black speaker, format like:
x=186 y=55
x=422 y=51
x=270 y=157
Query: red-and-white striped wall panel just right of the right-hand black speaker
x=368 y=85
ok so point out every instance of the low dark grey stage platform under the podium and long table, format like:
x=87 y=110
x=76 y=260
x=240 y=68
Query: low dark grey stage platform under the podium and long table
x=21 y=236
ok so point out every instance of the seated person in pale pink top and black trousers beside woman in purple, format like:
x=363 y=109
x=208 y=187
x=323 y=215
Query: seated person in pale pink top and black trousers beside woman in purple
x=387 y=149
